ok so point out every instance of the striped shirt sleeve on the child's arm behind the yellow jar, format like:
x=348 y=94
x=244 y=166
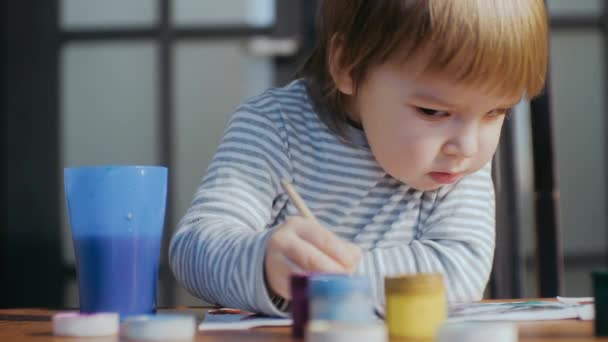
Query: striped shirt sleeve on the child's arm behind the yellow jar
x=457 y=240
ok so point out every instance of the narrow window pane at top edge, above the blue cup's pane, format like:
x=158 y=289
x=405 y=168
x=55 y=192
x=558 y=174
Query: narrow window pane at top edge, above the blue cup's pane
x=76 y=14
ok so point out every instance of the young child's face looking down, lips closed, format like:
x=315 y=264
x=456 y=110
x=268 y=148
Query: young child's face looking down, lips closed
x=424 y=129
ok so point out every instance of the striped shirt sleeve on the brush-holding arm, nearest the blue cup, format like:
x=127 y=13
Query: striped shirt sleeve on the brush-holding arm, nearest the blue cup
x=217 y=252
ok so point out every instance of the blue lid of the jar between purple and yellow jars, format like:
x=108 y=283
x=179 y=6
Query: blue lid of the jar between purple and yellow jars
x=334 y=285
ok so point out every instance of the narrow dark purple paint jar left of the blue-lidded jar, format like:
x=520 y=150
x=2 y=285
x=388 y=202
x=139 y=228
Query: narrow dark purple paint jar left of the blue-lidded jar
x=299 y=303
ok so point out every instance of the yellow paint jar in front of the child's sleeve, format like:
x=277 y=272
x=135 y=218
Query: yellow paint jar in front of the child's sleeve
x=415 y=305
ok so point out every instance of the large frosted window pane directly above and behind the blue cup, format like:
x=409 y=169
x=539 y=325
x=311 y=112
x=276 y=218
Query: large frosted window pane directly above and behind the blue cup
x=109 y=111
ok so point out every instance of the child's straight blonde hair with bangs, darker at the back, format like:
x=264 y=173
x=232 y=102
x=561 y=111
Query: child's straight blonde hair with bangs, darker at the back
x=500 y=46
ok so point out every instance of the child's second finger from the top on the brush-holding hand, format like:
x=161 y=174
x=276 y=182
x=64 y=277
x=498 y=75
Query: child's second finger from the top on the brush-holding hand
x=310 y=258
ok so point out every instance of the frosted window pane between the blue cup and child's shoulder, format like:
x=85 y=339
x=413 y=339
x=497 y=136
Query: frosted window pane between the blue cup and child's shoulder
x=211 y=80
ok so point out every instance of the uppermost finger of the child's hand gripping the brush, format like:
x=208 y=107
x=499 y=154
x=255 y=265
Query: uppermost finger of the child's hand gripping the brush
x=345 y=253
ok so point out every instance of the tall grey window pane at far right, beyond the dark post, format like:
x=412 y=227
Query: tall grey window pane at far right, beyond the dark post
x=578 y=95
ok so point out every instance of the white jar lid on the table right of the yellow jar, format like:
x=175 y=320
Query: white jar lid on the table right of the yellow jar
x=477 y=332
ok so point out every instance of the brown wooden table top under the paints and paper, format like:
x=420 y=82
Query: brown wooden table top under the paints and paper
x=19 y=325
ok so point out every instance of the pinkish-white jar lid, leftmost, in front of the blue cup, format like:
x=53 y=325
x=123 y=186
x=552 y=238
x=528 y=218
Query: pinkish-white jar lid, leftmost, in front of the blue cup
x=85 y=325
